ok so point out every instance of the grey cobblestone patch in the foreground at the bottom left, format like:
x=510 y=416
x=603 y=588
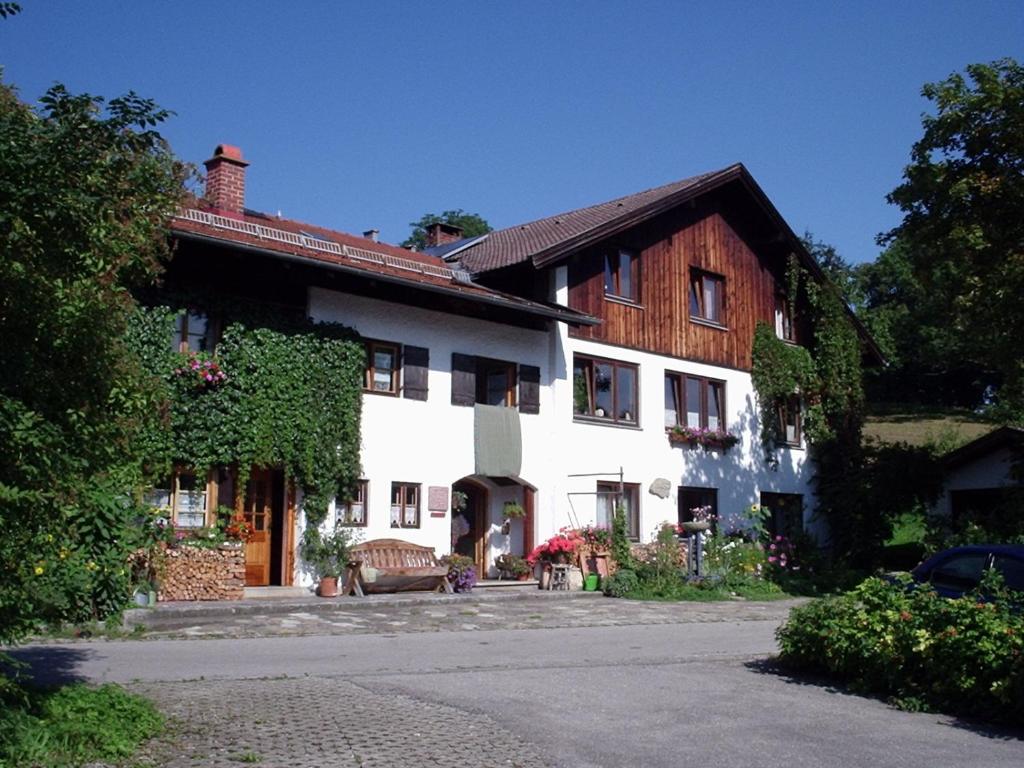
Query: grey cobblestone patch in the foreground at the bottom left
x=322 y=723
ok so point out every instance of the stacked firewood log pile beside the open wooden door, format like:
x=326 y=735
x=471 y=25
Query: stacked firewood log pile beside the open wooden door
x=201 y=574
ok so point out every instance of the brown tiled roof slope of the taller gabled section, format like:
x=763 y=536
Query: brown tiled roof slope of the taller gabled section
x=530 y=241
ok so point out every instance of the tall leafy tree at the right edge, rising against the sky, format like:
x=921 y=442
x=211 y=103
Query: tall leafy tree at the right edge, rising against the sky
x=963 y=232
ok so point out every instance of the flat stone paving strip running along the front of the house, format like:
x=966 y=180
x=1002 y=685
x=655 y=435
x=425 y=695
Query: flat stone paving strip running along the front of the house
x=470 y=614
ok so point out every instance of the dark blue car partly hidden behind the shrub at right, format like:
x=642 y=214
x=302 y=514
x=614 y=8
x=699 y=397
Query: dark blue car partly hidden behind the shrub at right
x=957 y=571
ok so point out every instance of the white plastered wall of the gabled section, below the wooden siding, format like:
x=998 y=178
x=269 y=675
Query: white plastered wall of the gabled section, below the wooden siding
x=740 y=475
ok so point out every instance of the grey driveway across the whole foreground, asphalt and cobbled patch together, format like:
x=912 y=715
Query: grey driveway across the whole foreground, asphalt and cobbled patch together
x=639 y=686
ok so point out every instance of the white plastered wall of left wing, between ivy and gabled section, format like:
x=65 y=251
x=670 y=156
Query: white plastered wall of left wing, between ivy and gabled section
x=432 y=443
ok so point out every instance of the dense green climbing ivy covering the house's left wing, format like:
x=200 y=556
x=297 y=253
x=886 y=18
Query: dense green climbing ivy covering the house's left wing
x=284 y=393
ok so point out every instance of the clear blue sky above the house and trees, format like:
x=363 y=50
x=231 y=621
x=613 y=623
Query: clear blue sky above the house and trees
x=368 y=115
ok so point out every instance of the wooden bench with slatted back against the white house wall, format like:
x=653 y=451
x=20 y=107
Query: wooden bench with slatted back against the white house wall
x=398 y=567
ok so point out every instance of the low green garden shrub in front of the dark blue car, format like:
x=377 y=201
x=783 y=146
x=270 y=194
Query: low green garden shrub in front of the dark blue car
x=964 y=657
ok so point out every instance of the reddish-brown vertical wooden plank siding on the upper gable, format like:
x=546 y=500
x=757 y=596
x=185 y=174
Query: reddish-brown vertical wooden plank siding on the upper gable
x=698 y=237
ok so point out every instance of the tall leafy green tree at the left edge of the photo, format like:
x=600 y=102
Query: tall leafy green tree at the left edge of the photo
x=87 y=192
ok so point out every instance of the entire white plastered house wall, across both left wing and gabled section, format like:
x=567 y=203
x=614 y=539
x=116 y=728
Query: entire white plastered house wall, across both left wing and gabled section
x=432 y=443
